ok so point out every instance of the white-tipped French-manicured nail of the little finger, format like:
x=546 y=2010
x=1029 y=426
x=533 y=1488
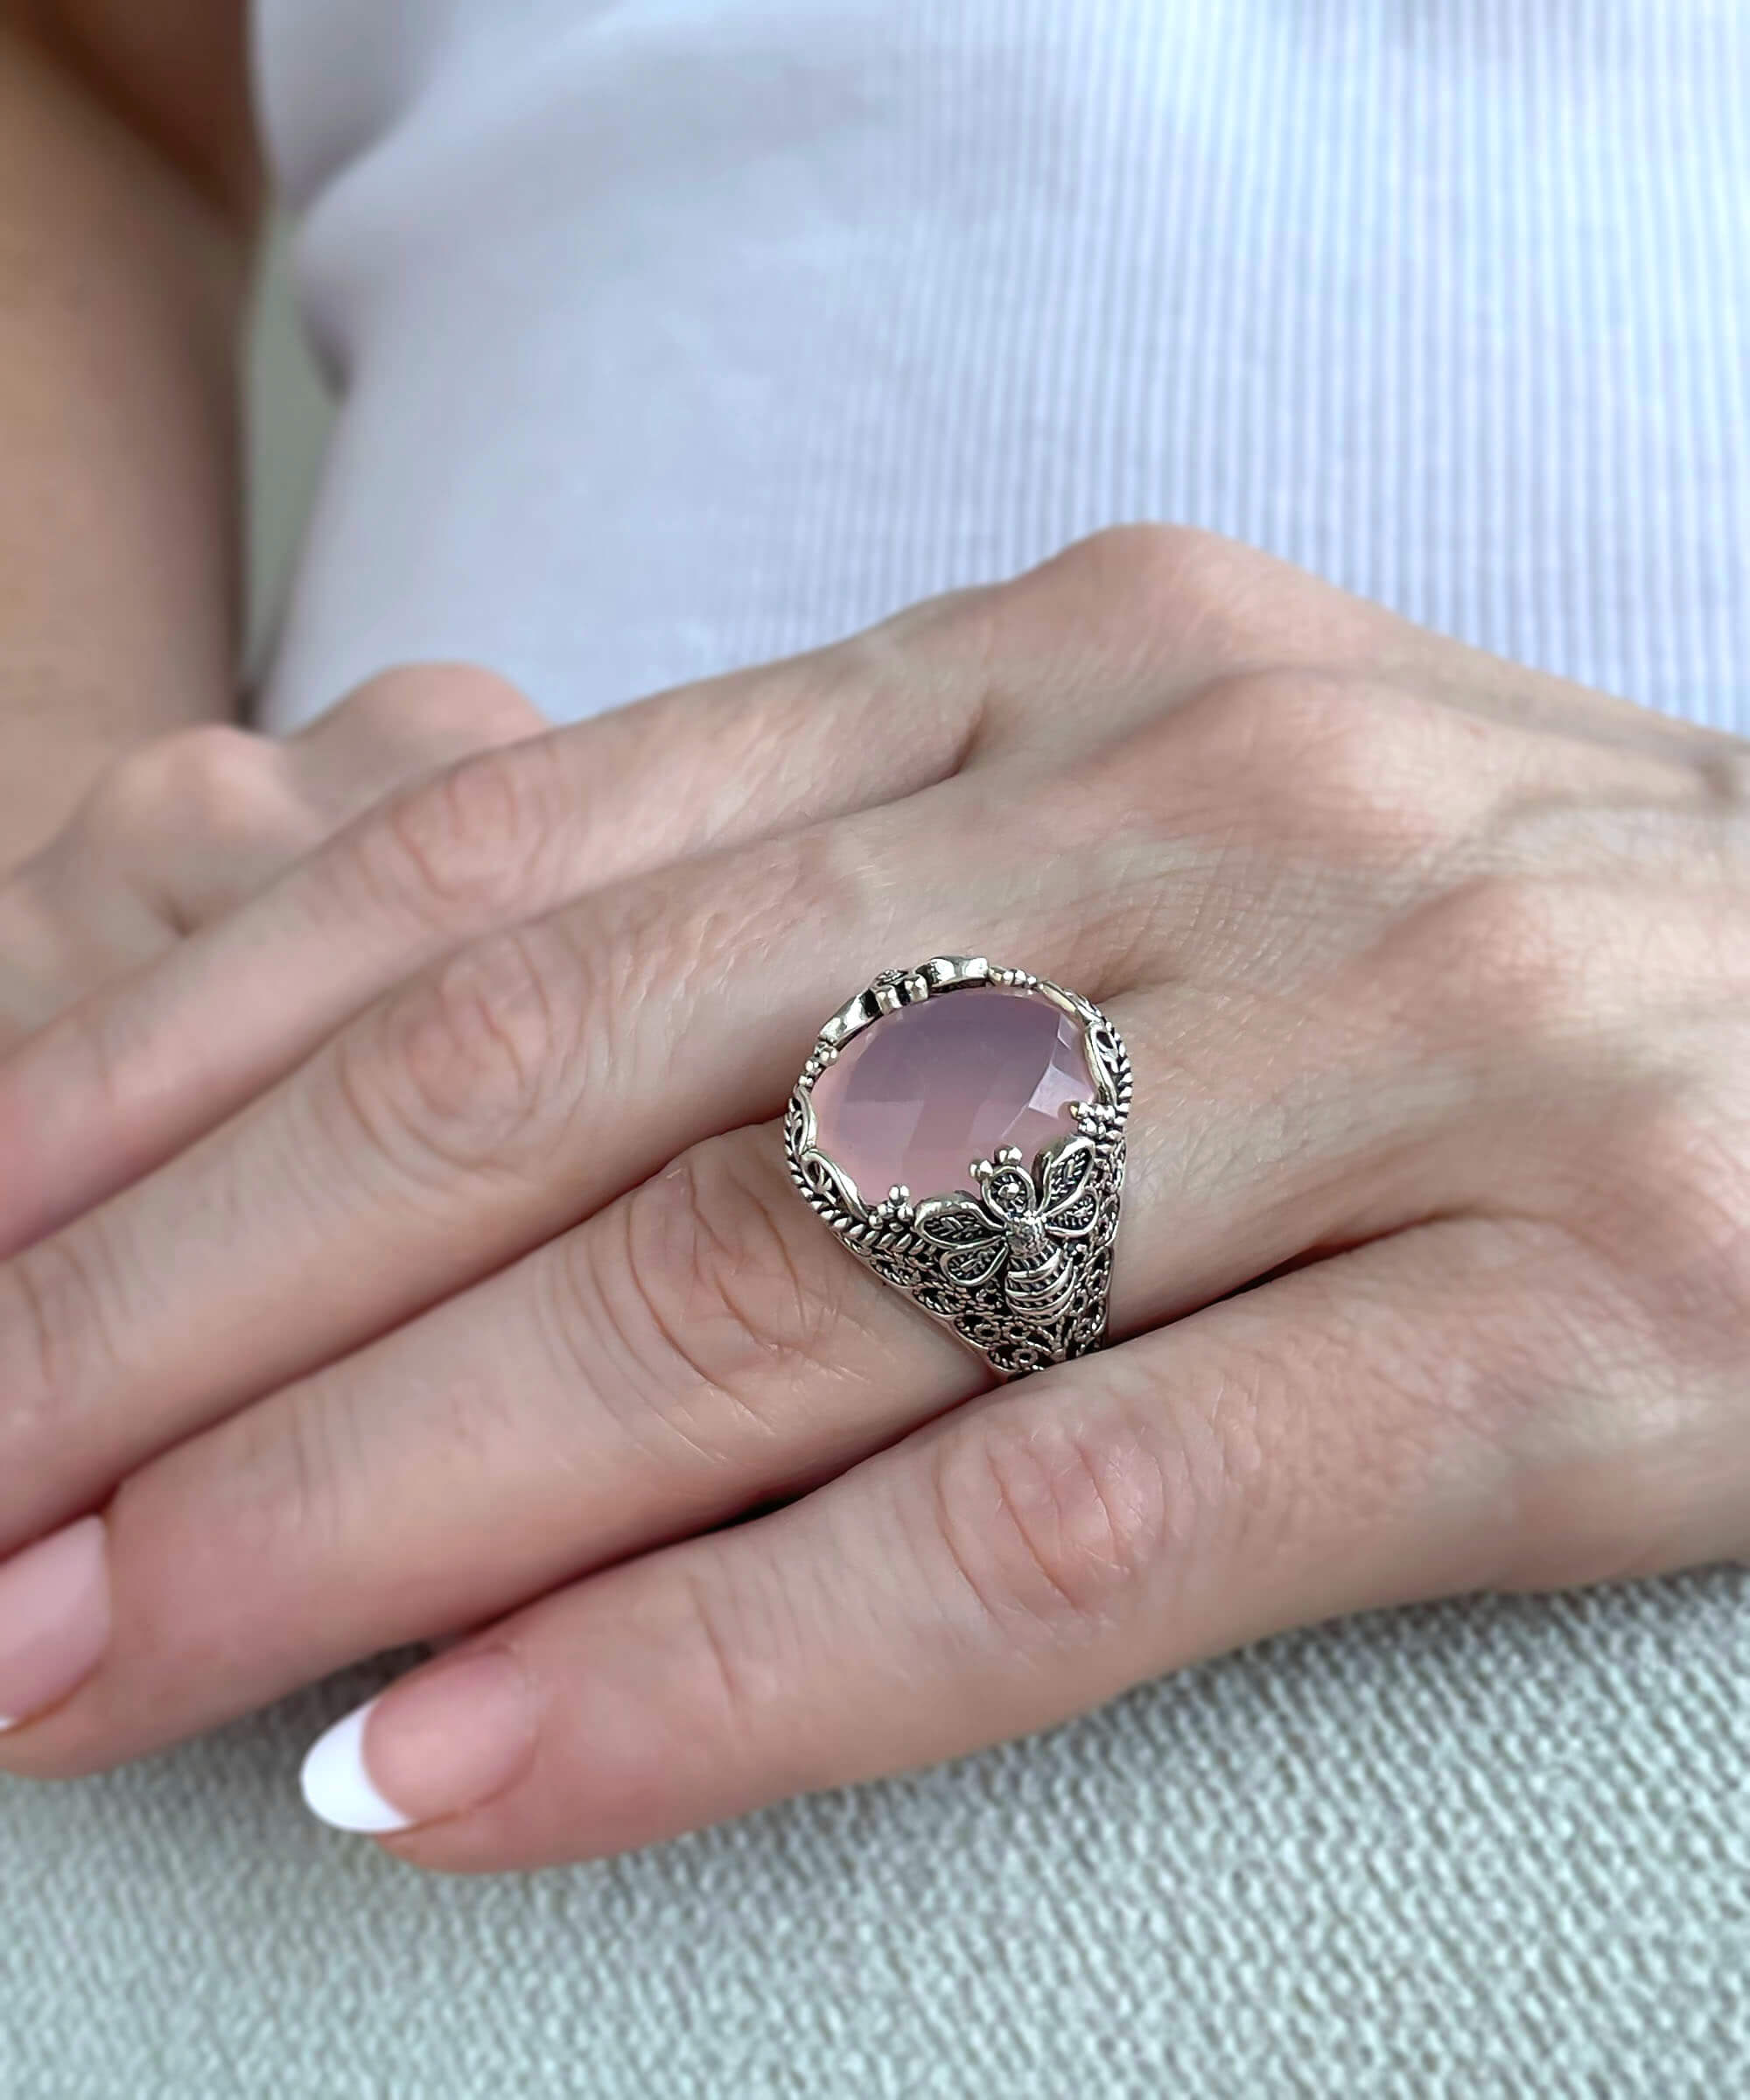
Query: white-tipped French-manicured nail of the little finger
x=446 y=1740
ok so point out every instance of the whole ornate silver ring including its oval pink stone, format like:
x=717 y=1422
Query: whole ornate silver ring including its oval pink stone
x=1005 y=1099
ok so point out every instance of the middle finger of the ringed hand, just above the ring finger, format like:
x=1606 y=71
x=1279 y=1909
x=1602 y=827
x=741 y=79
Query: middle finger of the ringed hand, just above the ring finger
x=480 y=1110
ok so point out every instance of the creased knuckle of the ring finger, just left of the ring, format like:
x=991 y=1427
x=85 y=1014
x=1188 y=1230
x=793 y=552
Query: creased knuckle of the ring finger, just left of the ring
x=720 y=1309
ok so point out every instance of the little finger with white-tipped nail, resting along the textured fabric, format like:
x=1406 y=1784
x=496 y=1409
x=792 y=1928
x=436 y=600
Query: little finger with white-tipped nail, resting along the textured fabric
x=1396 y=1425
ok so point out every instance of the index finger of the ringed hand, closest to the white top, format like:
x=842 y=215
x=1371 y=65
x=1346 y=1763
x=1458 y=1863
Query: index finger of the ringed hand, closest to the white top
x=142 y=1070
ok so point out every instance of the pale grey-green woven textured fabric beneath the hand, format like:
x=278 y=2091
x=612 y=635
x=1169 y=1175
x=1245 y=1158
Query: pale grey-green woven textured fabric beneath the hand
x=1491 y=1849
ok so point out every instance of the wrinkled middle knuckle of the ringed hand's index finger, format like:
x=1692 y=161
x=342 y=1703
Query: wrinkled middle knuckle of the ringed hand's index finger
x=467 y=849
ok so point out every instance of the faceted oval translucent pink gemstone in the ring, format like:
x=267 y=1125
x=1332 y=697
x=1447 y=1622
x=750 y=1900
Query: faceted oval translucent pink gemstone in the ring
x=930 y=1089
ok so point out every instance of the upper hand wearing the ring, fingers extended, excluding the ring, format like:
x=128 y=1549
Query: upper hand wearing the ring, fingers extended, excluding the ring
x=499 y=1307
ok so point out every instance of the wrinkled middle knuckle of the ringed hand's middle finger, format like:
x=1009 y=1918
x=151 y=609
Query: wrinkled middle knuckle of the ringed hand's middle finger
x=467 y=1066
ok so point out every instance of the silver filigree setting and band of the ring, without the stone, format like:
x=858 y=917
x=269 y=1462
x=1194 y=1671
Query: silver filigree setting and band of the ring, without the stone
x=1041 y=1305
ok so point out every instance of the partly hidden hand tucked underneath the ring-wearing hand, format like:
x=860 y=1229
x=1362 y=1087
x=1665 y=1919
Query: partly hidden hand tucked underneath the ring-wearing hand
x=192 y=824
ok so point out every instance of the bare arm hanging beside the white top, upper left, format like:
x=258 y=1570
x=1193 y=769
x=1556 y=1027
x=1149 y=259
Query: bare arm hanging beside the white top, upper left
x=127 y=205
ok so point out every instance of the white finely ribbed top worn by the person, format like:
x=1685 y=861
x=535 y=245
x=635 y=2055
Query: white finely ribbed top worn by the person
x=686 y=335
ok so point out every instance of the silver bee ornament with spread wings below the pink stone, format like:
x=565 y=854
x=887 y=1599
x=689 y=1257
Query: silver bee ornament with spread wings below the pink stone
x=1020 y=1227
